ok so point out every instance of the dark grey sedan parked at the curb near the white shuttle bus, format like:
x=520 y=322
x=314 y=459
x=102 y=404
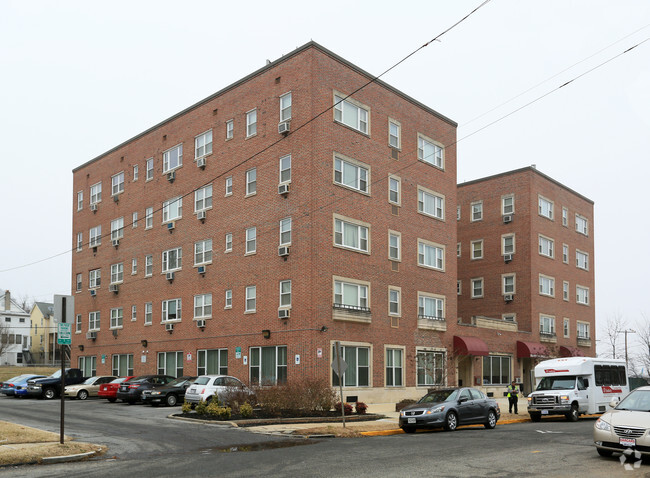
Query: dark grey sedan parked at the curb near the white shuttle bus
x=450 y=408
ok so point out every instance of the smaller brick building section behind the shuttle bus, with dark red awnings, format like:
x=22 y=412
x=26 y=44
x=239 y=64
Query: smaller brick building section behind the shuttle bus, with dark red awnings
x=525 y=276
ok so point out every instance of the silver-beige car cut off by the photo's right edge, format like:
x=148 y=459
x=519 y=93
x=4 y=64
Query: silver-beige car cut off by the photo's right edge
x=626 y=425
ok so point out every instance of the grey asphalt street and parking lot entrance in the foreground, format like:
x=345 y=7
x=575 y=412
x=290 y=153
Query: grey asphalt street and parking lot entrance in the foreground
x=144 y=442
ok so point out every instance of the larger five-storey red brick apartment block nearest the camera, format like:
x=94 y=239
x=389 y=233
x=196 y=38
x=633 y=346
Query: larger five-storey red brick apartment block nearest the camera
x=249 y=233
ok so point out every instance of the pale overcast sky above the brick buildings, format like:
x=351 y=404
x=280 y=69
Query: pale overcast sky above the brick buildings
x=80 y=77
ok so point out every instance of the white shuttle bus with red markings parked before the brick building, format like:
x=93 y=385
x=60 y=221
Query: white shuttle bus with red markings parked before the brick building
x=576 y=385
